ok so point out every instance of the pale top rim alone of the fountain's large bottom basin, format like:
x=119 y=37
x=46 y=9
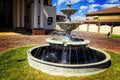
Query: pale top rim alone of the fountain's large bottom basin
x=68 y=65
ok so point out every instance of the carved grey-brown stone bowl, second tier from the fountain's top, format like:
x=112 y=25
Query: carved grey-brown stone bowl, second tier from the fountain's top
x=68 y=26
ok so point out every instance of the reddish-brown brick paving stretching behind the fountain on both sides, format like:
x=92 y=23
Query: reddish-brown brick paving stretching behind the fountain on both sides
x=97 y=40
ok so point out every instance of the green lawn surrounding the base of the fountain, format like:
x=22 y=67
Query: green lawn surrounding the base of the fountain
x=14 y=66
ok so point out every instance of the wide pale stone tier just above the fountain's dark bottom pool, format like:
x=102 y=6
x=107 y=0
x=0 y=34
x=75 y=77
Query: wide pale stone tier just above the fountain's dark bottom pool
x=60 y=42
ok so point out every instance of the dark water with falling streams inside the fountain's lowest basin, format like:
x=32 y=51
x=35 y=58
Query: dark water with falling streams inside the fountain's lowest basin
x=82 y=55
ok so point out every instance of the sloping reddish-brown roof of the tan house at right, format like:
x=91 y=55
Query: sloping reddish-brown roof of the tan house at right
x=113 y=10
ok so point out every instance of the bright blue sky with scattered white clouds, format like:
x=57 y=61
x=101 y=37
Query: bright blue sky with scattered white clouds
x=85 y=6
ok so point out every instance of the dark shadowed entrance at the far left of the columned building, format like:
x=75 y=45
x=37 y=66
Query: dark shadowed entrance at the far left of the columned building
x=6 y=15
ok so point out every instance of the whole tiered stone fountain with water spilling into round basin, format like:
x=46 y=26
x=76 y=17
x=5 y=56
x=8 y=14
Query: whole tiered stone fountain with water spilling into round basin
x=66 y=55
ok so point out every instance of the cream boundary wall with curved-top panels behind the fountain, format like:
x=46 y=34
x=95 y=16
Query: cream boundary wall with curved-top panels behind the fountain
x=94 y=28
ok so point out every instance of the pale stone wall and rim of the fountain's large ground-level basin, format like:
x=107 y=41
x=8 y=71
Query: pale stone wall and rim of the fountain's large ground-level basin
x=69 y=69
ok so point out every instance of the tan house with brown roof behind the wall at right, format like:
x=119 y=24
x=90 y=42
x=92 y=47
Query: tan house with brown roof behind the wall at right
x=110 y=16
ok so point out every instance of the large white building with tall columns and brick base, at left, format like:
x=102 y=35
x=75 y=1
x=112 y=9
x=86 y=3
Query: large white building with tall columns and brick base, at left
x=37 y=16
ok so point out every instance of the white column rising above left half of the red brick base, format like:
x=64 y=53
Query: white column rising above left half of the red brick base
x=35 y=15
